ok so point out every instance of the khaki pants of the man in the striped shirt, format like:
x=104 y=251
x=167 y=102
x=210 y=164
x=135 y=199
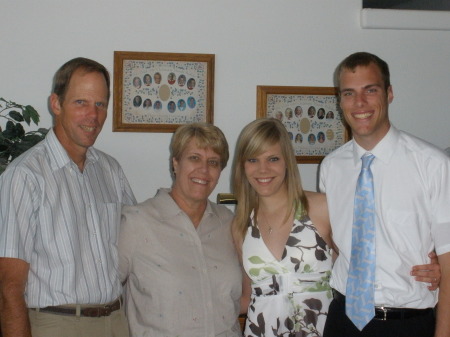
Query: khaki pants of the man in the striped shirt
x=54 y=325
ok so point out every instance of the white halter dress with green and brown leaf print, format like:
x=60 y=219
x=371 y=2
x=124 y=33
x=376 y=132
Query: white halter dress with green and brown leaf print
x=289 y=297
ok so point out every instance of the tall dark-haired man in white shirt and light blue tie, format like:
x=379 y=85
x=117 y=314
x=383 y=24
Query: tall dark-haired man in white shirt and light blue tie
x=411 y=198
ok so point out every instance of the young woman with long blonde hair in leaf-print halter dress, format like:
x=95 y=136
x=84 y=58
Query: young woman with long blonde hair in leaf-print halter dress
x=283 y=236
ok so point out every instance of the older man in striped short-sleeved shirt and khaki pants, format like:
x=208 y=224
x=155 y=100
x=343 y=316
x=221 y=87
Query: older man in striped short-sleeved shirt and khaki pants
x=59 y=218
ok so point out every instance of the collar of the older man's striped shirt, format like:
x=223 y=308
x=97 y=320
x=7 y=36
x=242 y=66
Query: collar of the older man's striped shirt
x=58 y=154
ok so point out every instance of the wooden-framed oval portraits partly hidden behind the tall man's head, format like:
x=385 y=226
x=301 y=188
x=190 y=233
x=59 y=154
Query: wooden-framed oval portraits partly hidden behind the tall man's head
x=310 y=114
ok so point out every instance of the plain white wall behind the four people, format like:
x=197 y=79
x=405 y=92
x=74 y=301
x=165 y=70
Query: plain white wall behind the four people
x=256 y=42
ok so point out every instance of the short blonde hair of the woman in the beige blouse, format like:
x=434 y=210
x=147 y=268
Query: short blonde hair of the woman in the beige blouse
x=206 y=136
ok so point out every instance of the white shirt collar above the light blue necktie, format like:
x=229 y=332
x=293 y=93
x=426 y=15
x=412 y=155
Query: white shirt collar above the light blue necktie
x=383 y=151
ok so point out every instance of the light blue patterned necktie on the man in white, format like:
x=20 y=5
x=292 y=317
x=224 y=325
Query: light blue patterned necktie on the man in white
x=359 y=301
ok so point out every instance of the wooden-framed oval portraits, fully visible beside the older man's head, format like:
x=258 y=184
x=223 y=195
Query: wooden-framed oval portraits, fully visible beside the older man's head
x=157 y=92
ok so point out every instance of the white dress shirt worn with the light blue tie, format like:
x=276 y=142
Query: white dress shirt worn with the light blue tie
x=412 y=203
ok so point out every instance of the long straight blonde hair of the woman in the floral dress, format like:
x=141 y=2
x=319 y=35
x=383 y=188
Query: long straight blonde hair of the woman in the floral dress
x=253 y=140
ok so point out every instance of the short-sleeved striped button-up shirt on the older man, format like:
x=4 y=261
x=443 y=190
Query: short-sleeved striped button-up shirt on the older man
x=64 y=223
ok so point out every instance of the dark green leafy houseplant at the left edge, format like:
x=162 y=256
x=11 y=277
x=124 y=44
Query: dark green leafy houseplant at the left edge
x=13 y=138
